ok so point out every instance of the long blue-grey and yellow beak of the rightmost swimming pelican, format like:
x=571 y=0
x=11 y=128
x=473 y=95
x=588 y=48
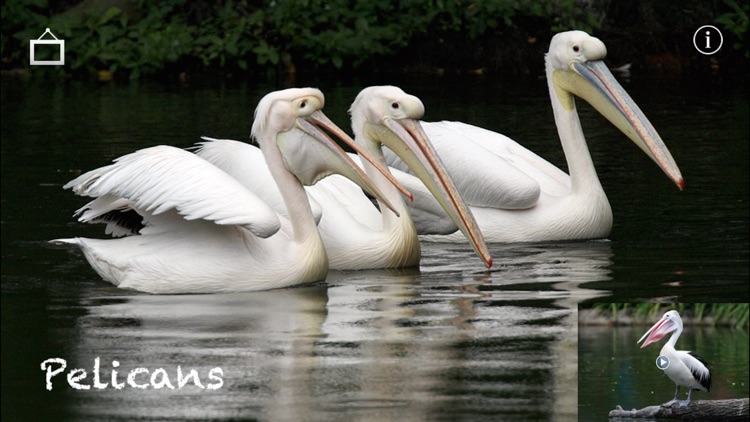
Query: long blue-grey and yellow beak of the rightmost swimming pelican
x=593 y=82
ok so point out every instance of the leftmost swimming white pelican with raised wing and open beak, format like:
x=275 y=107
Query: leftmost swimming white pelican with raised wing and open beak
x=200 y=230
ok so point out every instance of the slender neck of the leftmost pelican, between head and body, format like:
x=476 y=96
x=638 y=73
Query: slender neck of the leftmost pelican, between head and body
x=293 y=194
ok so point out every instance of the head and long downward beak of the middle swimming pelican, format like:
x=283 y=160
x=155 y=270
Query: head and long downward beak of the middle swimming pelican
x=386 y=115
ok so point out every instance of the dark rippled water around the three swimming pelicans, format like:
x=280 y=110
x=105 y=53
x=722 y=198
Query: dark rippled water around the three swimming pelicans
x=448 y=341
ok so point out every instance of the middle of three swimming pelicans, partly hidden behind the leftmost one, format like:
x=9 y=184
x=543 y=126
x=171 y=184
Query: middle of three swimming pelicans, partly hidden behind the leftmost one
x=356 y=234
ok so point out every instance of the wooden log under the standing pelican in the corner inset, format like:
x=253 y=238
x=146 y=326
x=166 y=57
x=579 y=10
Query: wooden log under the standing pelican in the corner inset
x=697 y=410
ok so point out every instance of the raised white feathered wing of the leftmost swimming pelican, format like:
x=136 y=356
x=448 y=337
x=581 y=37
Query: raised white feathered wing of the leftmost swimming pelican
x=157 y=179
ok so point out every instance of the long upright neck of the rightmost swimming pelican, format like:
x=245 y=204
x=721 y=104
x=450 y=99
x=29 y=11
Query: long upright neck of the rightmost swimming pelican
x=580 y=166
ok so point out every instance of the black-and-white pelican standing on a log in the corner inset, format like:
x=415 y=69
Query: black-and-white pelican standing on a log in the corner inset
x=685 y=368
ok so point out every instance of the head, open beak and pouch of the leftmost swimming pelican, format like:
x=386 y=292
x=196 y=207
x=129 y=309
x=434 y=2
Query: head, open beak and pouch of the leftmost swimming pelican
x=290 y=121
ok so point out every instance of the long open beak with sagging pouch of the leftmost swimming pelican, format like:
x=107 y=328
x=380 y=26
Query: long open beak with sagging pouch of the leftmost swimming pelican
x=313 y=161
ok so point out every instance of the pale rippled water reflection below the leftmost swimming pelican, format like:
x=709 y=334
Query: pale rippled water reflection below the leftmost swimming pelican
x=262 y=343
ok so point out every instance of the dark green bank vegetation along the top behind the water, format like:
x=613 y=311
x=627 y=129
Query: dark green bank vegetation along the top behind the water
x=137 y=38
